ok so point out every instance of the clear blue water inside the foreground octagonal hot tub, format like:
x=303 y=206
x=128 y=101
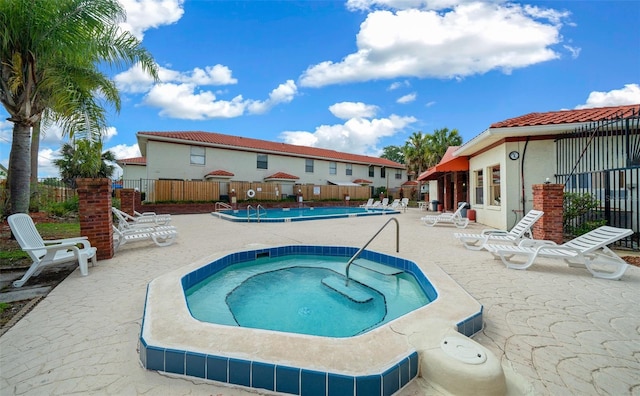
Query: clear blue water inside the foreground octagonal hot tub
x=291 y=294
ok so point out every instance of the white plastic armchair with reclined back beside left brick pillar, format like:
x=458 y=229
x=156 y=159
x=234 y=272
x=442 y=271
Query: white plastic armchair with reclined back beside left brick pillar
x=51 y=252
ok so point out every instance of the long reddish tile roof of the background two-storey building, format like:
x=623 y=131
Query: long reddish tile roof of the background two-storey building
x=217 y=139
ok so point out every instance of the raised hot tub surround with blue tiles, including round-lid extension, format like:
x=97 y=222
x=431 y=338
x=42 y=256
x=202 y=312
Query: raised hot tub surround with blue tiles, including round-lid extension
x=428 y=341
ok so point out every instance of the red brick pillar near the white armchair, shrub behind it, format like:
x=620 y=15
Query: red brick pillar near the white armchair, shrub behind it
x=95 y=214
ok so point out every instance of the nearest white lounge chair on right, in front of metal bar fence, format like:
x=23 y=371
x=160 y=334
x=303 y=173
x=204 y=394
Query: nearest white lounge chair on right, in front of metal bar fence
x=589 y=250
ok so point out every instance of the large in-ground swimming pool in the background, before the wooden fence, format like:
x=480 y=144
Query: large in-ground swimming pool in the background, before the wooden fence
x=260 y=214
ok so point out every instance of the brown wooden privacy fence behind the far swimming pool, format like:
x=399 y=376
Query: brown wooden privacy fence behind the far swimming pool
x=178 y=190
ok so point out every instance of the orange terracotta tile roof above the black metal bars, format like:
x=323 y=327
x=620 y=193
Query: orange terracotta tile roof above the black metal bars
x=567 y=116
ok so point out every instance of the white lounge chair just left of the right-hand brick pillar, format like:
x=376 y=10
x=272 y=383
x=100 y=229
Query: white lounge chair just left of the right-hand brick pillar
x=517 y=233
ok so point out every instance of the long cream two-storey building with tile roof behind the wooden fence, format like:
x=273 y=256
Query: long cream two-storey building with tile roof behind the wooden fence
x=198 y=155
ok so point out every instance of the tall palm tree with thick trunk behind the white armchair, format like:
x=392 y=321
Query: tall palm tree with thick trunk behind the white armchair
x=50 y=52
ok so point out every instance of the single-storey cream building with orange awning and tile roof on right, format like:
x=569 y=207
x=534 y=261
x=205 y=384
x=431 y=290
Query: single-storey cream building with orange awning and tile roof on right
x=594 y=150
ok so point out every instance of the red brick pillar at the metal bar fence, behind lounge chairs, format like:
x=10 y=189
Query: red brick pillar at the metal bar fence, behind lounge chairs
x=549 y=199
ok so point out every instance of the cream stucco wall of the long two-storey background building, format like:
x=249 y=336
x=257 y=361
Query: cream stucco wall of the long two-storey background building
x=172 y=161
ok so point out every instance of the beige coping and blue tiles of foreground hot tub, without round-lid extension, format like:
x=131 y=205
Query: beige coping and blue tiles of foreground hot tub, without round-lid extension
x=378 y=362
